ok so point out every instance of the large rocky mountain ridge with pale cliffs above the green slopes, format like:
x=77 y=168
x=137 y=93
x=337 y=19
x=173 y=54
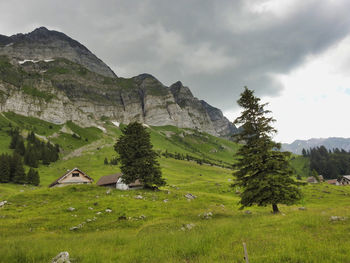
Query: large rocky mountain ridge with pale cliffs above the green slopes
x=48 y=75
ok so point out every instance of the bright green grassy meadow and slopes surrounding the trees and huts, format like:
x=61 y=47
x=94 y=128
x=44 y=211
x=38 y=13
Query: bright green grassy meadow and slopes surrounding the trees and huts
x=163 y=226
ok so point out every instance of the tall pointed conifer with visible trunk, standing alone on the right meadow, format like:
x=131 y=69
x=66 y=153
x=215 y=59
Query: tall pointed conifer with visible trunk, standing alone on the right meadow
x=262 y=171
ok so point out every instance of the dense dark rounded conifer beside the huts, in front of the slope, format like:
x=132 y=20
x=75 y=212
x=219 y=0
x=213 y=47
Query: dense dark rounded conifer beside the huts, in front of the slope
x=138 y=159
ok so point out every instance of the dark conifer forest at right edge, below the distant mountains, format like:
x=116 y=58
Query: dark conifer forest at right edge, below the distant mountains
x=329 y=163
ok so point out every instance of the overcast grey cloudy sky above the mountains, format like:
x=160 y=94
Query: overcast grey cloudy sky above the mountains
x=214 y=47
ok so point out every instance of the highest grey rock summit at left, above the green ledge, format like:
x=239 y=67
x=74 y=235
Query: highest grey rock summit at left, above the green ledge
x=44 y=44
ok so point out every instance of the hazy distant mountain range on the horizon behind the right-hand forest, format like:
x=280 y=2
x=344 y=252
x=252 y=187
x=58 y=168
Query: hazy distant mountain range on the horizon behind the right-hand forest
x=330 y=144
